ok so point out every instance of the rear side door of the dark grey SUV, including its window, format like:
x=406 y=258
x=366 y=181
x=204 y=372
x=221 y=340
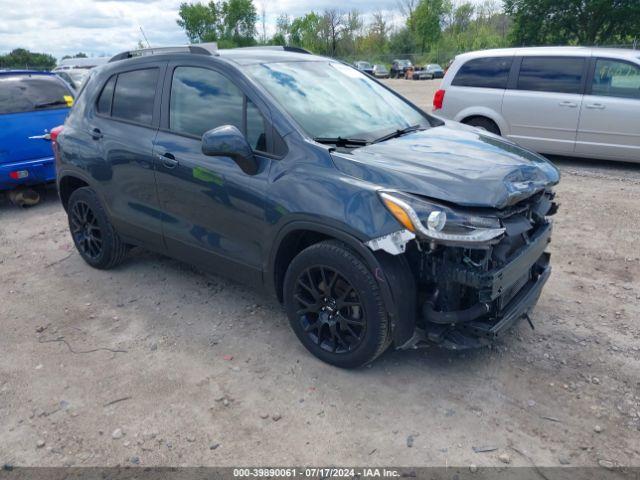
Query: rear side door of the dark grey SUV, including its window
x=122 y=132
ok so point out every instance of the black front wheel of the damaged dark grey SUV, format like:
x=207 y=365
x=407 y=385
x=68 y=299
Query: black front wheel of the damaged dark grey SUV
x=335 y=306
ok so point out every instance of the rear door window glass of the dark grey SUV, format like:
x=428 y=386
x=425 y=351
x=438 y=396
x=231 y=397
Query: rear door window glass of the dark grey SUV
x=134 y=95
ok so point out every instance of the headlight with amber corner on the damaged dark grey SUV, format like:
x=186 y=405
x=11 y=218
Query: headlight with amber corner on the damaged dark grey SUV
x=440 y=223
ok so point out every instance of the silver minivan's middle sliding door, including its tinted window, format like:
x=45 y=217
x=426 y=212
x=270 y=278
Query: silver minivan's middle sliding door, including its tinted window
x=542 y=106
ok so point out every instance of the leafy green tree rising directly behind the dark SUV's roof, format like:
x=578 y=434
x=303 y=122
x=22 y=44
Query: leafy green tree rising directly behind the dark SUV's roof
x=231 y=23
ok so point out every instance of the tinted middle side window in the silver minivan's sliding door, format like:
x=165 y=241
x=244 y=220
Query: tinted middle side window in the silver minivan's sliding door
x=551 y=74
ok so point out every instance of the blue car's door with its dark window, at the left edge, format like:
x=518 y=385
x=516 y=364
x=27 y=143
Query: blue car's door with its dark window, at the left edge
x=30 y=106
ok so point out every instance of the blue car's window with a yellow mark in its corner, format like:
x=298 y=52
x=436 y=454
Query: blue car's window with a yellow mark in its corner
x=28 y=93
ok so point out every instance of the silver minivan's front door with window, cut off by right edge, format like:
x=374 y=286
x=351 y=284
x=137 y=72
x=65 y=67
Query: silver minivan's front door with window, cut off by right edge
x=610 y=117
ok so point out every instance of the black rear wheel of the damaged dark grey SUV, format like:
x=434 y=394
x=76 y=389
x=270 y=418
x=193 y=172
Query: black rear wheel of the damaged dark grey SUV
x=93 y=235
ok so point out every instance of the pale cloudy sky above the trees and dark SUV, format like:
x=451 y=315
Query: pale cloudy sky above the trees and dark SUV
x=107 y=27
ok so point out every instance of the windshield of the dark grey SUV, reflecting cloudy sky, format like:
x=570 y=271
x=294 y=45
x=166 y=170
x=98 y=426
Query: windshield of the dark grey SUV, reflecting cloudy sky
x=329 y=99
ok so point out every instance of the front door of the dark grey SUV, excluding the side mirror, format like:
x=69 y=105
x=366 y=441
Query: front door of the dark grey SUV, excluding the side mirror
x=213 y=212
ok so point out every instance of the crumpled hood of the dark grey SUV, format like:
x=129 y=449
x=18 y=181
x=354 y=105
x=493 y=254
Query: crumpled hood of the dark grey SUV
x=453 y=163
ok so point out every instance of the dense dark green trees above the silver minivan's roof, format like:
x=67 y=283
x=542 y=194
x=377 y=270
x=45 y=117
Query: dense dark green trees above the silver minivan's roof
x=582 y=22
